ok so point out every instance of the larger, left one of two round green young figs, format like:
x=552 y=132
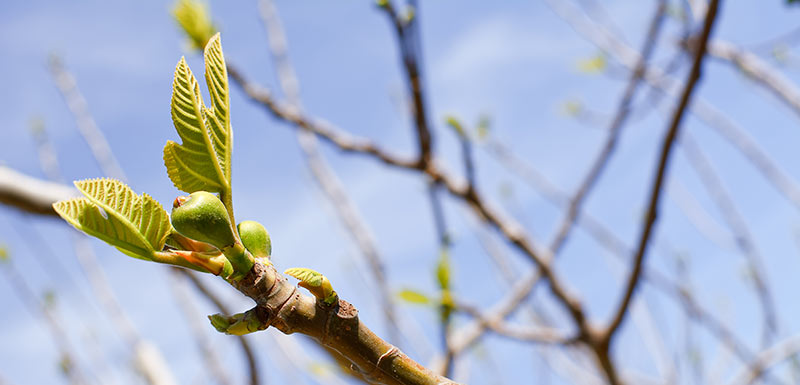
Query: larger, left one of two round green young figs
x=203 y=217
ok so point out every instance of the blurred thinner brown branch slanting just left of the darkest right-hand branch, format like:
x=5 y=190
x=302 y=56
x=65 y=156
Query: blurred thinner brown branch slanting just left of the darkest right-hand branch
x=614 y=131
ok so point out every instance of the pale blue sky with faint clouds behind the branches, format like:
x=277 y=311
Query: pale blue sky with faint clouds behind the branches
x=515 y=61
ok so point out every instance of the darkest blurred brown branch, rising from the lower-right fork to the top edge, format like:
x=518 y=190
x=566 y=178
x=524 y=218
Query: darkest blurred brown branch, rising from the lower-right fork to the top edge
x=666 y=150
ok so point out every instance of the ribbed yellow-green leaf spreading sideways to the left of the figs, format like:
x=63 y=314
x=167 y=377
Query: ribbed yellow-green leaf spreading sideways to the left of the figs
x=137 y=225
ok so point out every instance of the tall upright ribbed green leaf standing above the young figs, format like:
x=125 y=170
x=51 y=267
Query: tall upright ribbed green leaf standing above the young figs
x=202 y=160
